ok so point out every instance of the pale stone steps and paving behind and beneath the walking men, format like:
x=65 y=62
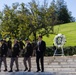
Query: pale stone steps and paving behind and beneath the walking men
x=65 y=65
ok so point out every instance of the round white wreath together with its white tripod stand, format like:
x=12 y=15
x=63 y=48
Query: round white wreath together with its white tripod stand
x=59 y=42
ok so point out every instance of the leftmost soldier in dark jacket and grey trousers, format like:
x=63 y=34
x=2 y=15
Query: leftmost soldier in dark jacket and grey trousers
x=4 y=50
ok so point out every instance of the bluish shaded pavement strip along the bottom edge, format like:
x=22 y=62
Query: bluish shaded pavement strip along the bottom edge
x=39 y=73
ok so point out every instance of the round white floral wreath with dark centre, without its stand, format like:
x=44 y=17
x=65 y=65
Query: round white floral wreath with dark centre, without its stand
x=59 y=40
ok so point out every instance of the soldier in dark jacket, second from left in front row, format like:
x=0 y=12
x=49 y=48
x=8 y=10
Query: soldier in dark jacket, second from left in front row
x=15 y=55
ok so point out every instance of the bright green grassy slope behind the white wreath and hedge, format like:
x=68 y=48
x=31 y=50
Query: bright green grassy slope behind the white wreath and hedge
x=69 y=30
